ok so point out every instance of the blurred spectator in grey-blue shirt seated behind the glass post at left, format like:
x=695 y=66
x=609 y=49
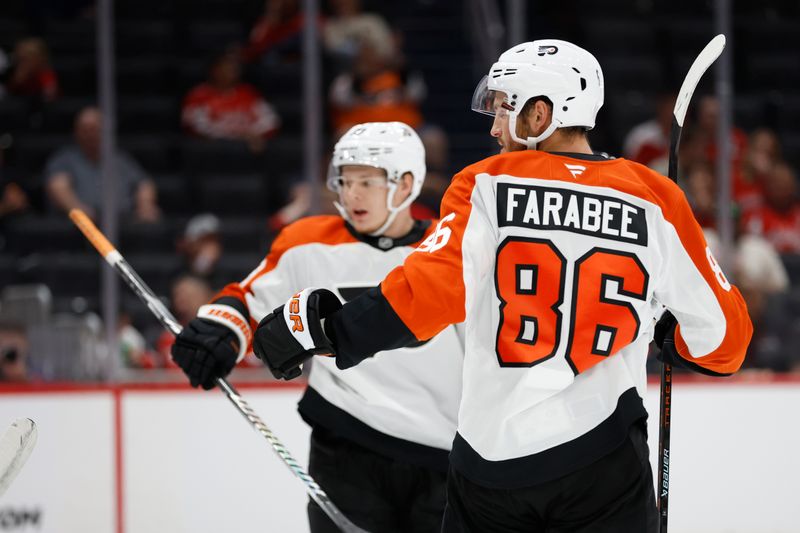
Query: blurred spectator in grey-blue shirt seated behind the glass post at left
x=73 y=178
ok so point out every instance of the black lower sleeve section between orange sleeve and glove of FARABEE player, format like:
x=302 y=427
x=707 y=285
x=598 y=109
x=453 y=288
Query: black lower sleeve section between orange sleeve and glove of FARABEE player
x=365 y=326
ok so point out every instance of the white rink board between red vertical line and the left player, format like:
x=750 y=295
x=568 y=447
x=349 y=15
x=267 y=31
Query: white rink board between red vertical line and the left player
x=194 y=464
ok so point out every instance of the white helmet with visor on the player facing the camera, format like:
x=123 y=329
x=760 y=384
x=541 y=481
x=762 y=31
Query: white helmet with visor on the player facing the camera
x=391 y=146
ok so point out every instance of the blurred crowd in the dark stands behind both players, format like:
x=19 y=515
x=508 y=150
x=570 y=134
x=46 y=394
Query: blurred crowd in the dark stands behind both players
x=234 y=116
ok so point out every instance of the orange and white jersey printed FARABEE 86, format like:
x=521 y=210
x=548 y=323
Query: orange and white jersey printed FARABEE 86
x=559 y=266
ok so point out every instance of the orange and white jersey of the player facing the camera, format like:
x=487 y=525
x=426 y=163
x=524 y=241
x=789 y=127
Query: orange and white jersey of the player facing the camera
x=403 y=405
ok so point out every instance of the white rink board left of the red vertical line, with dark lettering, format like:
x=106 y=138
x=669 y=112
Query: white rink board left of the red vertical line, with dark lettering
x=66 y=486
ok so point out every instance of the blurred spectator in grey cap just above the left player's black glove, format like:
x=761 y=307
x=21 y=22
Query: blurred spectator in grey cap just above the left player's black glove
x=201 y=248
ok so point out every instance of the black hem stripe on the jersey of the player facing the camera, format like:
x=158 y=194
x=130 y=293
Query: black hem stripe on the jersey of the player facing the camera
x=319 y=412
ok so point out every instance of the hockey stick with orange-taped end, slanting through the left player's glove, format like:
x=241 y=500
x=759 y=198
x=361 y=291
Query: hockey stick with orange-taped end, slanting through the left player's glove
x=118 y=263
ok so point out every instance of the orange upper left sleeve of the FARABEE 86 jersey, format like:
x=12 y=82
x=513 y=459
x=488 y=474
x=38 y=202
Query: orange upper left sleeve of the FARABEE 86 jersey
x=427 y=291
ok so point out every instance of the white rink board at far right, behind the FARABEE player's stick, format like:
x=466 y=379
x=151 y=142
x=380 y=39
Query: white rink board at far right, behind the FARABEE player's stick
x=735 y=457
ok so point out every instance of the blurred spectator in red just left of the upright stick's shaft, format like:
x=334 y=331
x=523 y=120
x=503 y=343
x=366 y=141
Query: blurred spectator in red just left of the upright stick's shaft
x=648 y=143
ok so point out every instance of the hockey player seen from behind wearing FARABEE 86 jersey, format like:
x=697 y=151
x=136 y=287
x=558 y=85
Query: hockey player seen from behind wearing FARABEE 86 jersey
x=559 y=261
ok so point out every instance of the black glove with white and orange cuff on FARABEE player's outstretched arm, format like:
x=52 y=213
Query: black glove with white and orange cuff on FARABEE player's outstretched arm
x=293 y=332
